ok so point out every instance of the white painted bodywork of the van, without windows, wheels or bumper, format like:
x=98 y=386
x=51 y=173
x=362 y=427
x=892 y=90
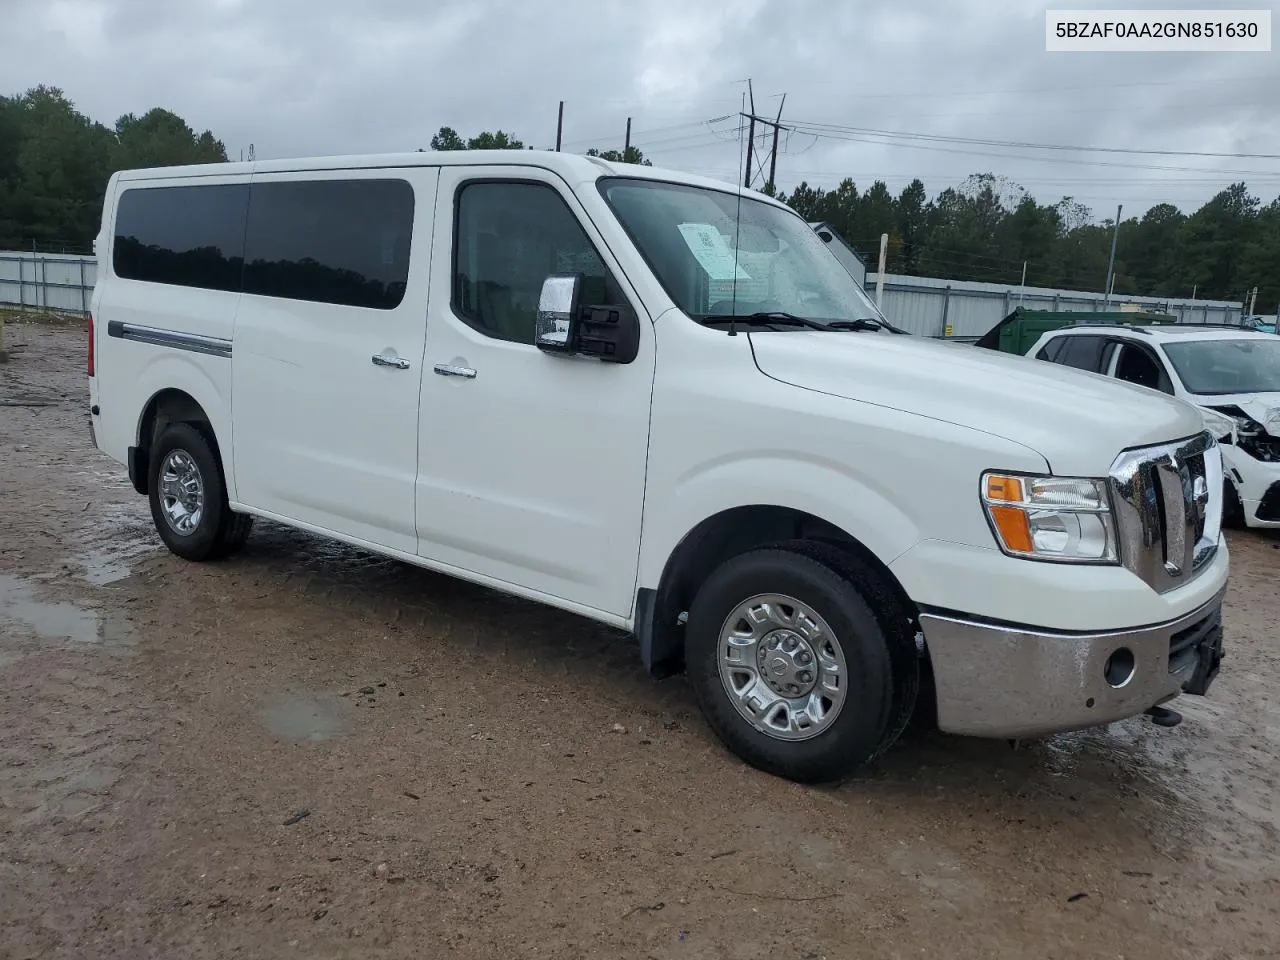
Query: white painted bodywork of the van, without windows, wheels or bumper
x=573 y=482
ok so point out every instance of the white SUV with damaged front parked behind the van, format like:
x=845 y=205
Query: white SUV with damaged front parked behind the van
x=1233 y=374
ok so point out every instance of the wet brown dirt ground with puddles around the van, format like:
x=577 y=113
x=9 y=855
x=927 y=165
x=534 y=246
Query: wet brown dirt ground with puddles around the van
x=312 y=752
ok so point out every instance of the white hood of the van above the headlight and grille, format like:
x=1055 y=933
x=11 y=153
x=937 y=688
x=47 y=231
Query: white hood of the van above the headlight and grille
x=1078 y=422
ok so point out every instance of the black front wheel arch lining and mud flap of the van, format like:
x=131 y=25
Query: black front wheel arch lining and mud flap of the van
x=714 y=541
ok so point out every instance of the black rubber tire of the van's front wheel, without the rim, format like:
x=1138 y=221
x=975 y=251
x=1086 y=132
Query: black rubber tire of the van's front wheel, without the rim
x=883 y=670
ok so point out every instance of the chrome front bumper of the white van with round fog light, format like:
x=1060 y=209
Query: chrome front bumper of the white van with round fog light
x=1013 y=682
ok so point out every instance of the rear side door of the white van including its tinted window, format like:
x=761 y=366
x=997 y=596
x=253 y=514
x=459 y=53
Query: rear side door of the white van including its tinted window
x=328 y=354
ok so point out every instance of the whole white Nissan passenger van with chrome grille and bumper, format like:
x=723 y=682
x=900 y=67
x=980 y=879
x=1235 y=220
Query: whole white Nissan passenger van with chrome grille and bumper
x=660 y=403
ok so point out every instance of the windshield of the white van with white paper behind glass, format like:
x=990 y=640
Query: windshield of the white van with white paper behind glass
x=714 y=263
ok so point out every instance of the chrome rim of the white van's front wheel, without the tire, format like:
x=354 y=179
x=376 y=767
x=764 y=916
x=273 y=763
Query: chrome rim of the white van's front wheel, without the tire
x=783 y=668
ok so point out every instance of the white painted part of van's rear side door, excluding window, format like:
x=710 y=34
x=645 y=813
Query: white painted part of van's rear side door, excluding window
x=323 y=435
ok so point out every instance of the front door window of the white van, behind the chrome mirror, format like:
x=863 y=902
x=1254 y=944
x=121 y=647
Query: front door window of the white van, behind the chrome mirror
x=510 y=237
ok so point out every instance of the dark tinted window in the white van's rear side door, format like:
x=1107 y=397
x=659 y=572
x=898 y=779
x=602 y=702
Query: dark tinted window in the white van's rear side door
x=331 y=241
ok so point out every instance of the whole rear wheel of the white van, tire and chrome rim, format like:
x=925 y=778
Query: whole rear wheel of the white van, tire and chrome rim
x=189 y=497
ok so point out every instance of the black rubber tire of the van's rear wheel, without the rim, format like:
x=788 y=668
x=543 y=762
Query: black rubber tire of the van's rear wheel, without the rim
x=220 y=531
